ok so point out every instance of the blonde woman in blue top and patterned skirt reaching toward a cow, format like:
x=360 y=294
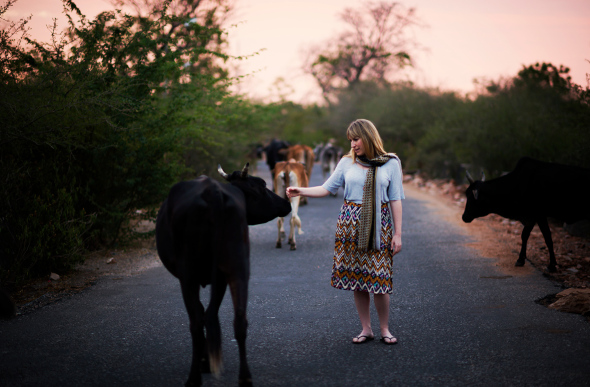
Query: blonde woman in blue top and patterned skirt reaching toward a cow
x=367 y=237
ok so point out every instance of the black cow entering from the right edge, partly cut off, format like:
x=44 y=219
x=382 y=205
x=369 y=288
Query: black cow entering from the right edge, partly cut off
x=531 y=193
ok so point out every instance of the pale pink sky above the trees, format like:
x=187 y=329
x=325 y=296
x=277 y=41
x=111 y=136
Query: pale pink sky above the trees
x=466 y=39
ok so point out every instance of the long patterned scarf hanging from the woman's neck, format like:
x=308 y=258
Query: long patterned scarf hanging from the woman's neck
x=370 y=226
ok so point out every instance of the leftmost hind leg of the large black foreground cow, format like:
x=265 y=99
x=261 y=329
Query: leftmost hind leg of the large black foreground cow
x=196 y=315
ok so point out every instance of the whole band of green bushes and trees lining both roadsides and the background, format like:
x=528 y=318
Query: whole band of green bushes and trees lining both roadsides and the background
x=97 y=124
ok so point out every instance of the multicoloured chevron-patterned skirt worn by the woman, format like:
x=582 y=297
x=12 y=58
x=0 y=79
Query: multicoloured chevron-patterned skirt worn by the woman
x=368 y=271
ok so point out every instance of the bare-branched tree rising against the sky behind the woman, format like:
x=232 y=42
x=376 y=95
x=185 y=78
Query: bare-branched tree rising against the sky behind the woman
x=376 y=45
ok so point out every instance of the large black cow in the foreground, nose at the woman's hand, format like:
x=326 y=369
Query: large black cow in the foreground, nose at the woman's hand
x=202 y=239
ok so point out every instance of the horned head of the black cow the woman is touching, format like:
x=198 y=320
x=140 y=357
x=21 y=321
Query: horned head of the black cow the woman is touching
x=262 y=205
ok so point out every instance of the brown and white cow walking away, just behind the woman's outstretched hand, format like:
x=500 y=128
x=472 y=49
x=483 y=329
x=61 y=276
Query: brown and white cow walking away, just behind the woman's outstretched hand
x=290 y=174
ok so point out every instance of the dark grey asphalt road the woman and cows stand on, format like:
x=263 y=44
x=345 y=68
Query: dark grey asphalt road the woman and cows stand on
x=459 y=321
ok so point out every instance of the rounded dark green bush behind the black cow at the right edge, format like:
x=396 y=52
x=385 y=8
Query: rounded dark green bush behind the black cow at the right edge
x=528 y=116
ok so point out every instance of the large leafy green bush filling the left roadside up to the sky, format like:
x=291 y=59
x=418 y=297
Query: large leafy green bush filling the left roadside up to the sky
x=94 y=127
